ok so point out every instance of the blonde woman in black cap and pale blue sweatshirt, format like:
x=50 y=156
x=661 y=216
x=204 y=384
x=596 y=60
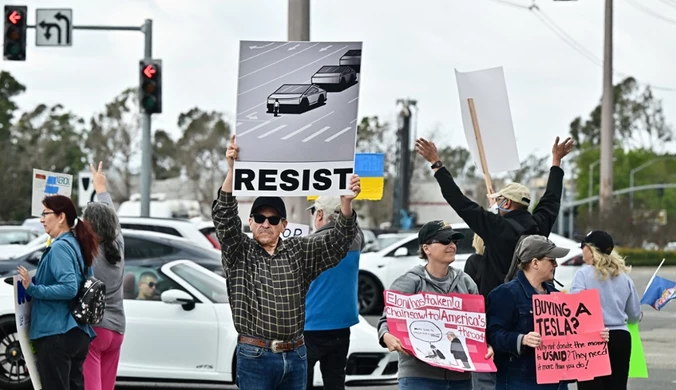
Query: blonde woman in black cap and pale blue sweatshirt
x=606 y=271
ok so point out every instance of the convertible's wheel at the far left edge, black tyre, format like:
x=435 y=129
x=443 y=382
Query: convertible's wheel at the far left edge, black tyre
x=13 y=370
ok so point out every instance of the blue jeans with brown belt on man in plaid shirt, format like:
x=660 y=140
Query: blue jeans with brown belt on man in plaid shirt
x=261 y=369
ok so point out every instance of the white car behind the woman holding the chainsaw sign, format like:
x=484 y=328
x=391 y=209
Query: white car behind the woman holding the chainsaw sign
x=378 y=270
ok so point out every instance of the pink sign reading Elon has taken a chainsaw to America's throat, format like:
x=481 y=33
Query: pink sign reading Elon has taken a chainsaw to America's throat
x=446 y=331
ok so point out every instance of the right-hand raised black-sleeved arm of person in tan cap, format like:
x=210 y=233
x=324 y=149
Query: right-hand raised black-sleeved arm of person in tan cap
x=547 y=210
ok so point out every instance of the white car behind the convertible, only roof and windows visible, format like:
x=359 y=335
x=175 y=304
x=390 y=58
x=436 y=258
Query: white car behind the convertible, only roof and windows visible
x=175 y=227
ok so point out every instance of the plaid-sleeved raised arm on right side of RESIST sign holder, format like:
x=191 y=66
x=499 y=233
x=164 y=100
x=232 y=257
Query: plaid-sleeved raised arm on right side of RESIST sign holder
x=327 y=250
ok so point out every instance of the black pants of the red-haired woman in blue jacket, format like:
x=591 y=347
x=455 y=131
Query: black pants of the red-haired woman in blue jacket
x=60 y=359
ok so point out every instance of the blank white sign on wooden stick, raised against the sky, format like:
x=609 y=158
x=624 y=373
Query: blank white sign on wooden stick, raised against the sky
x=489 y=91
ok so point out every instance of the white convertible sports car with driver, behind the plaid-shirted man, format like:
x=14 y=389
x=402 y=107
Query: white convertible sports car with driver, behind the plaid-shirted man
x=187 y=334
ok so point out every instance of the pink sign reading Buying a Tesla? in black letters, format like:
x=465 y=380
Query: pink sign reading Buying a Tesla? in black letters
x=572 y=347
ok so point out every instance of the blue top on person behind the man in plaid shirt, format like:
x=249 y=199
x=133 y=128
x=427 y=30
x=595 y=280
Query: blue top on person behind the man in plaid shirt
x=331 y=302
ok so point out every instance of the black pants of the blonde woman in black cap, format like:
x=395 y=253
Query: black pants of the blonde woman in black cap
x=619 y=350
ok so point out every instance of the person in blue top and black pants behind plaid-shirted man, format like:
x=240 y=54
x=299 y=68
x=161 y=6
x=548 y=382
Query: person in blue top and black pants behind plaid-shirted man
x=331 y=307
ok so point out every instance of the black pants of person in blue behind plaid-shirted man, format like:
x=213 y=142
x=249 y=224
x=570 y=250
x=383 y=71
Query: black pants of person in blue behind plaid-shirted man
x=329 y=348
